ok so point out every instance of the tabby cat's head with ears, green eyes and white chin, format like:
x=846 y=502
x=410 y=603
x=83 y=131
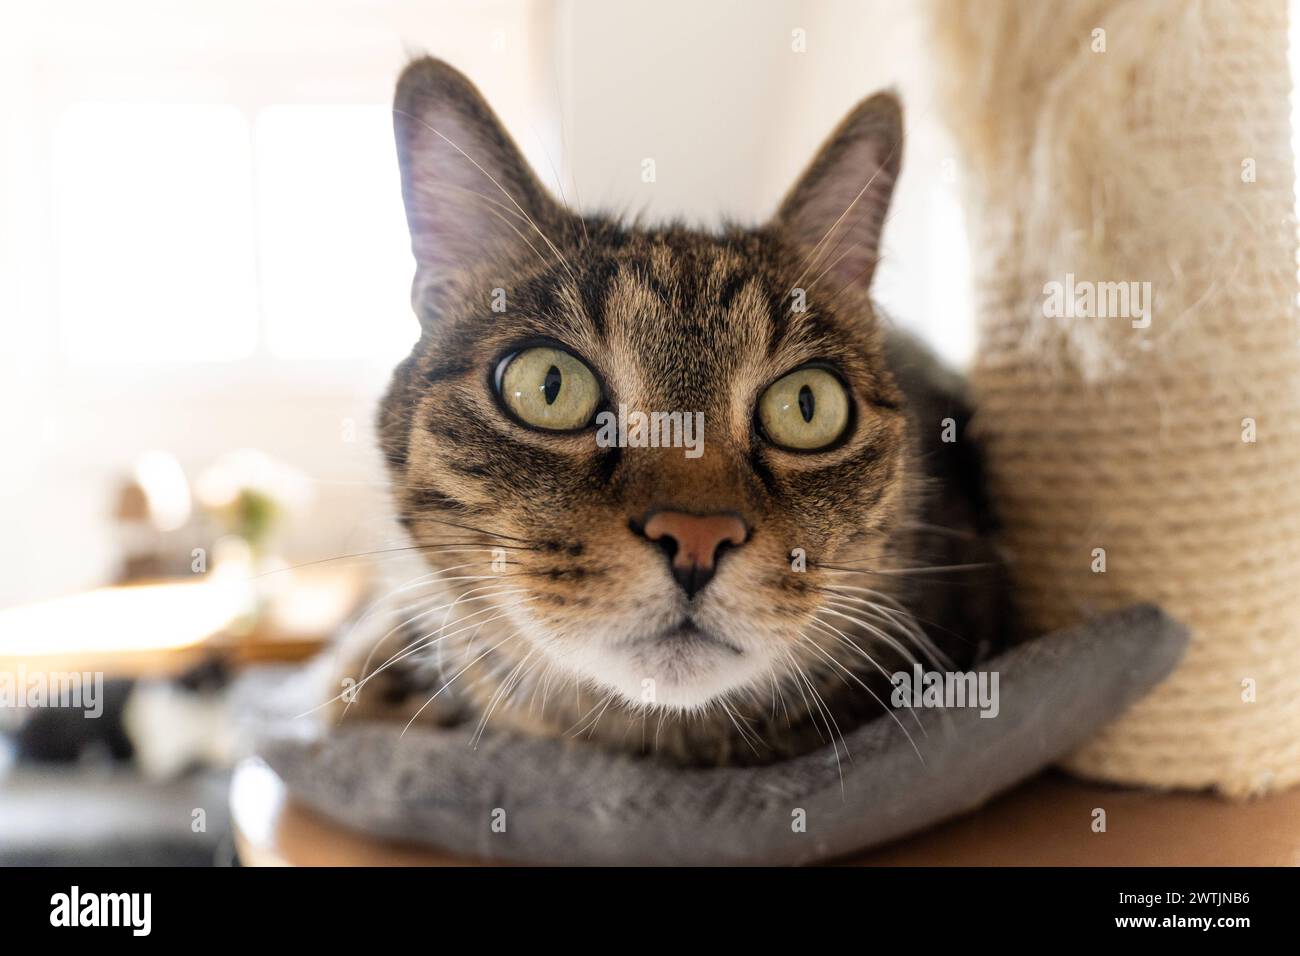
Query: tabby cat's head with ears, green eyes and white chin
x=668 y=576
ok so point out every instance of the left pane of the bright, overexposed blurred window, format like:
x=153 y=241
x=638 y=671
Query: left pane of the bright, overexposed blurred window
x=154 y=230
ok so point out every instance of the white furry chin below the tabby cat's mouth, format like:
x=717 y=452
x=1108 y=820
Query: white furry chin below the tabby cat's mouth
x=681 y=669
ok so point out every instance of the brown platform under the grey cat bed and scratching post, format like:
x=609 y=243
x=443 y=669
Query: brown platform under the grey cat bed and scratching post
x=1045 y=823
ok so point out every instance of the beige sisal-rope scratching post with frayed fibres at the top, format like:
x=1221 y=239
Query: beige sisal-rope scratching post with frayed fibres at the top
x=1143 y=142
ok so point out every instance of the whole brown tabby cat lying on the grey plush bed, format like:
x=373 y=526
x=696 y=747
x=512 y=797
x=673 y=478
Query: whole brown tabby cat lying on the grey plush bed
x=734 y=607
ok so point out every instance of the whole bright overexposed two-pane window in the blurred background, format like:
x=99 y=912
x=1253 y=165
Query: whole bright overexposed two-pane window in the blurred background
x=184 y=235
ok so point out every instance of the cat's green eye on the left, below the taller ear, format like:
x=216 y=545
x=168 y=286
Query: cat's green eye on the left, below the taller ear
x=549 y=388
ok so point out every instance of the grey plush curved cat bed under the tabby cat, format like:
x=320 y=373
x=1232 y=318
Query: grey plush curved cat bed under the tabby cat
x=566 y=802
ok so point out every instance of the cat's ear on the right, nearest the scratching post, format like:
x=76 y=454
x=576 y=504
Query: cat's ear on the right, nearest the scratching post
x=839 y=206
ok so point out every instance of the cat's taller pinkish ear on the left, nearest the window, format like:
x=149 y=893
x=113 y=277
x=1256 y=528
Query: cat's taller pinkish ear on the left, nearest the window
x=469 y=192
